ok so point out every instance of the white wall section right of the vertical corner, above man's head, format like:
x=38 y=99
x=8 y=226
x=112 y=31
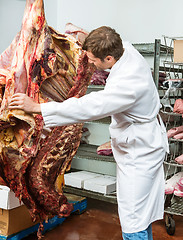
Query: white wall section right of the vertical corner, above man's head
x=135 y=20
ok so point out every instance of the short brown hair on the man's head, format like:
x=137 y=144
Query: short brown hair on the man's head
x=104 y=41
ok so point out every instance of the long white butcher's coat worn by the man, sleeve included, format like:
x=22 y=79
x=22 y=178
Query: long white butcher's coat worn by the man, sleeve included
x=139 y=142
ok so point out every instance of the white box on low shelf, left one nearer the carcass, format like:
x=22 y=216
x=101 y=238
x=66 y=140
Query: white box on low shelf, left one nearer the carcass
x=77 y=179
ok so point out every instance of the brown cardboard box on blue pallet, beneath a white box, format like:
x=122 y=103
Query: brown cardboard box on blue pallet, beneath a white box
x=14 y=220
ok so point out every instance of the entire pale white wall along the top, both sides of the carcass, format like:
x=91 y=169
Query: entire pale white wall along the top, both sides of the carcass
x=136 y=21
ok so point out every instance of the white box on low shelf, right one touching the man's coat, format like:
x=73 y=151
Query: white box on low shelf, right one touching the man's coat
x=104 y=184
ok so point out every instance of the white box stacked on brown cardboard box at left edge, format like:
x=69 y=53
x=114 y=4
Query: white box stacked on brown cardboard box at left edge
x=8 y=199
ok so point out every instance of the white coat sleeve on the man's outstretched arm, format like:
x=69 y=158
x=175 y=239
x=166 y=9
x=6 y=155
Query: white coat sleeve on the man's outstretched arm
x=95 y=105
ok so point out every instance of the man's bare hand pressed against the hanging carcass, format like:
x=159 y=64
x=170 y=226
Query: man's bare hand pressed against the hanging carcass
x=23 y=102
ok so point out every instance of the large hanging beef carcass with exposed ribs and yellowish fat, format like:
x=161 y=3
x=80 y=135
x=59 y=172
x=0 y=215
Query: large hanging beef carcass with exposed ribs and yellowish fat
x=46 y=66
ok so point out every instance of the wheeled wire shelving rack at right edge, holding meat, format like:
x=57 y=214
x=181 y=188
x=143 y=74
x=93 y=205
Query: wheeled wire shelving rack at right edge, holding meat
x=174 y=91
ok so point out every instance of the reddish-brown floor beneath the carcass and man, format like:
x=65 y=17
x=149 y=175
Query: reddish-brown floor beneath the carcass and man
x=100 y=222
